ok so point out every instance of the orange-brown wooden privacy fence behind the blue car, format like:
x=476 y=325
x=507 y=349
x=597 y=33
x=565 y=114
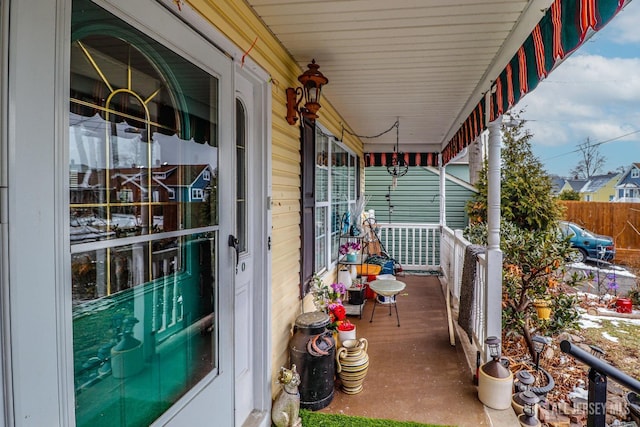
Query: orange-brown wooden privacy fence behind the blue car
x=619 y=220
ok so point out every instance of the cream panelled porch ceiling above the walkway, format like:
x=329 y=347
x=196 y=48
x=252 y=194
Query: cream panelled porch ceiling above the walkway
x=424 y=62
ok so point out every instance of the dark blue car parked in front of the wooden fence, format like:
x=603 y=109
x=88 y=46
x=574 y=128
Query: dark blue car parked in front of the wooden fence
x=588 y=244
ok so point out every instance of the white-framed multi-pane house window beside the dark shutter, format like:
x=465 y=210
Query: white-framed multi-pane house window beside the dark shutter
x=336 y=188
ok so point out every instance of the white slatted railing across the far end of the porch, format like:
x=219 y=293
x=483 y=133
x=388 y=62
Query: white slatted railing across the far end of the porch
x=413 y=246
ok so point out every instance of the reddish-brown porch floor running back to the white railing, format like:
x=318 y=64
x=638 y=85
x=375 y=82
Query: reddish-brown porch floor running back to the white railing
x=414 y=373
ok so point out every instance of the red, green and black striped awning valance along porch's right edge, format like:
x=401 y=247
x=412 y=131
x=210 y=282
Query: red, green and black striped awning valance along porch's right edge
x=564 y=27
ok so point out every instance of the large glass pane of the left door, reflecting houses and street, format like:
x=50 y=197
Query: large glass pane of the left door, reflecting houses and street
x=143 y=208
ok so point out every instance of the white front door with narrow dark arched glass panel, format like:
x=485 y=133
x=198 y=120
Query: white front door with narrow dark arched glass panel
x=249 y=302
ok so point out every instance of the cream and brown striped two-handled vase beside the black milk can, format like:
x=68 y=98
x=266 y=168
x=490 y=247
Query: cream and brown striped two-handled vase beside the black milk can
x=352 y=363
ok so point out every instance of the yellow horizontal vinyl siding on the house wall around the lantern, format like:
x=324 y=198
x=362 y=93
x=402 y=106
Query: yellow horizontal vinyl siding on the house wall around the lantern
x=235 y=20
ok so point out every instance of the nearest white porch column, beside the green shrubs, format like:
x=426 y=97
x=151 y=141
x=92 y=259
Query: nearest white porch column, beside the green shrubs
x=493 y=279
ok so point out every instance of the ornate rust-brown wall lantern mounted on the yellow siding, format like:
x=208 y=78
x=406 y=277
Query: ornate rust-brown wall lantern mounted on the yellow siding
x=312 y=81
